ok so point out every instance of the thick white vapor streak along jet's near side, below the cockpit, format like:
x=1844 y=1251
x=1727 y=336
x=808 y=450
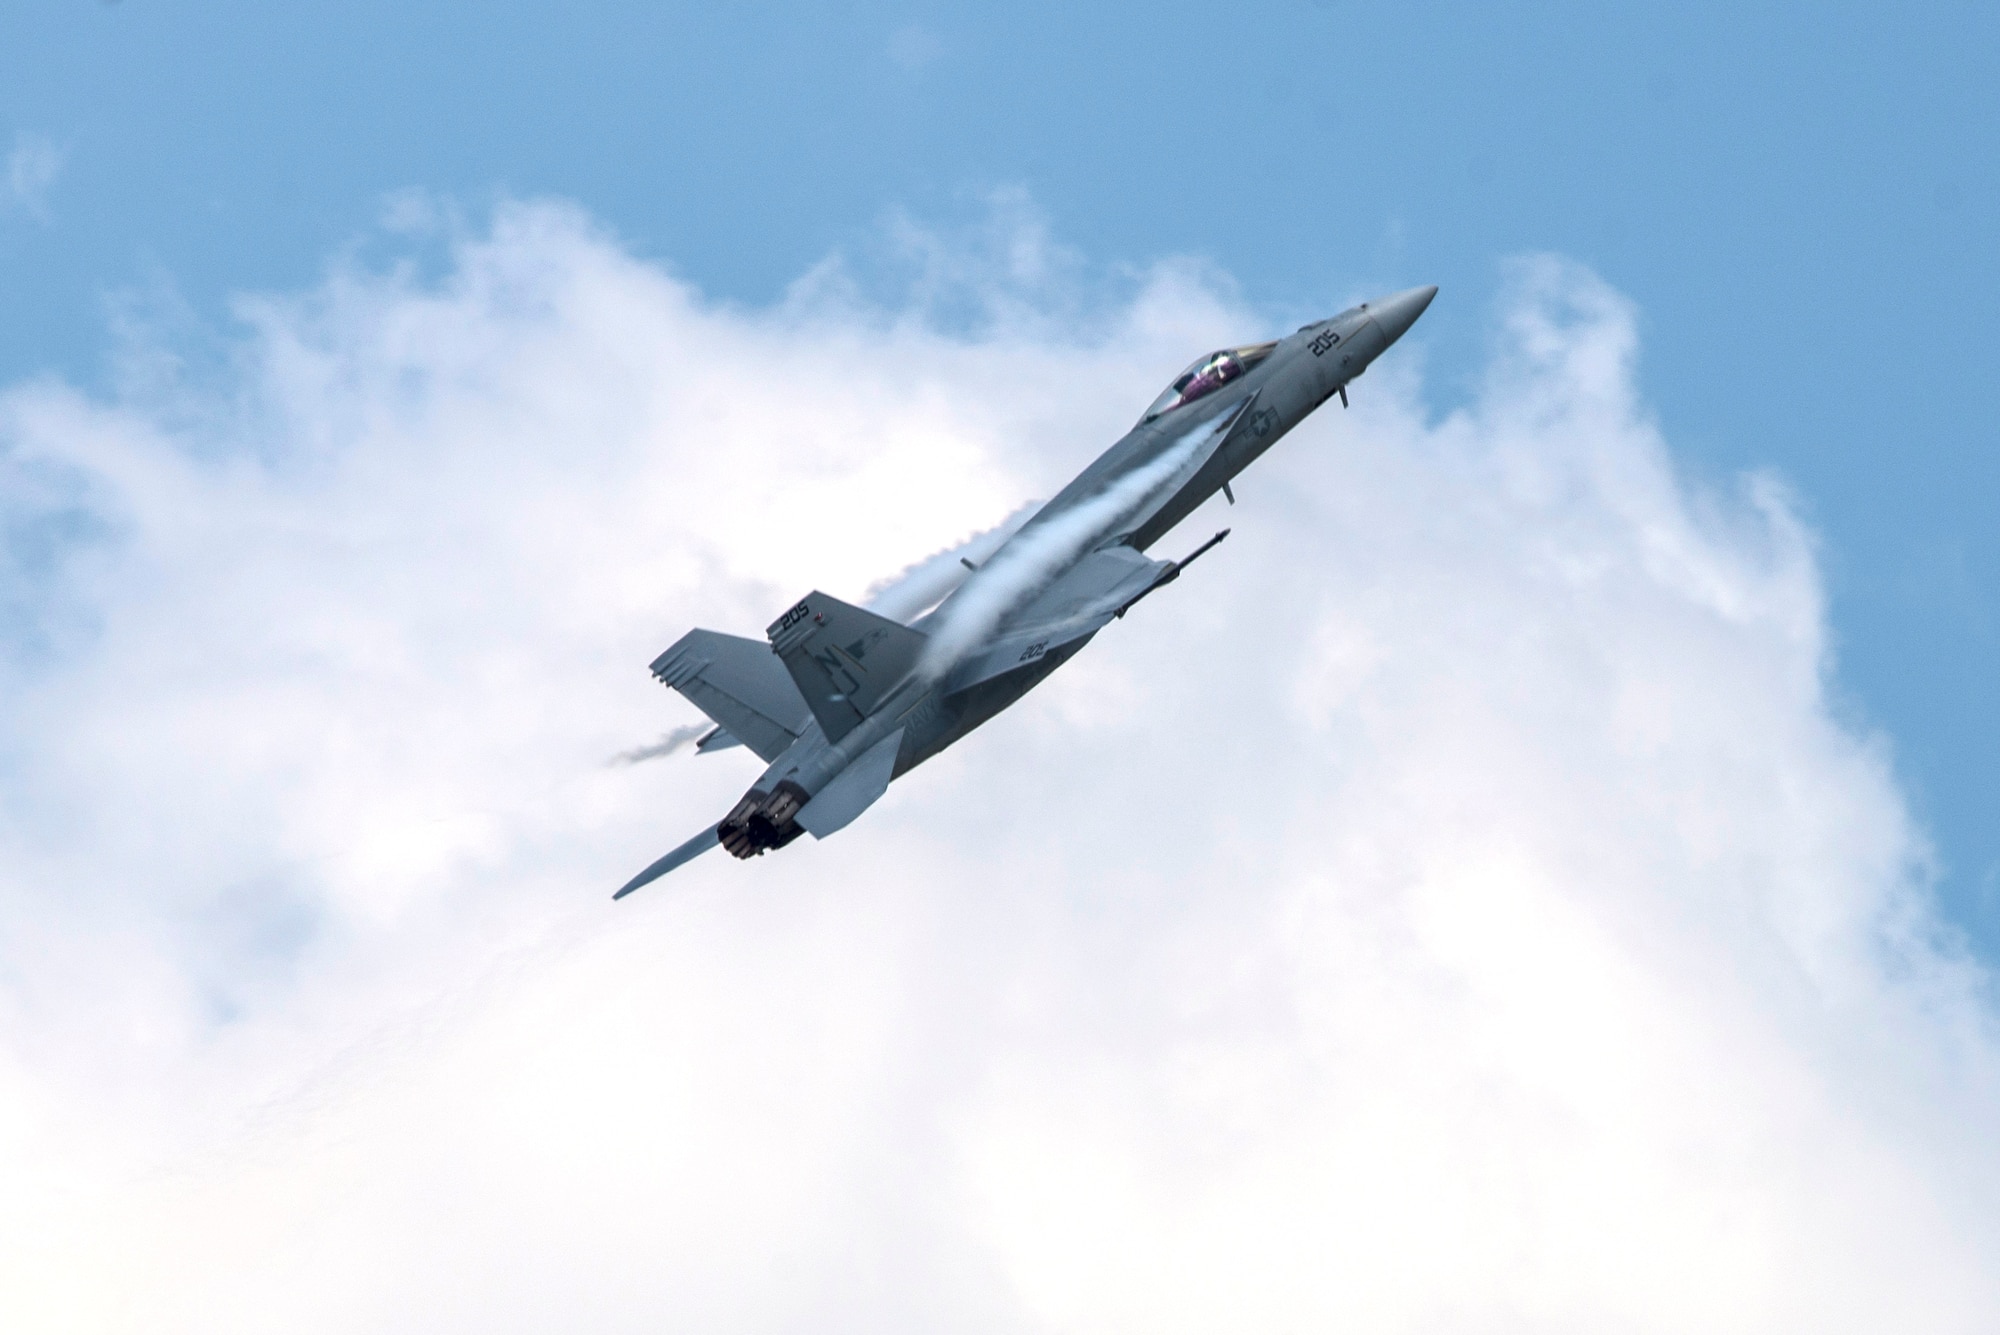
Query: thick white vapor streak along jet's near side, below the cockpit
x=1025 y=567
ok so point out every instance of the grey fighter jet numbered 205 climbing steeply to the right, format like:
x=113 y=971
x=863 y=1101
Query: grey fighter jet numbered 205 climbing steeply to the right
x=841 y=700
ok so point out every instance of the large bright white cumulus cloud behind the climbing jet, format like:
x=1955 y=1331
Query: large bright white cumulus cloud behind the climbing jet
x=1455 y=906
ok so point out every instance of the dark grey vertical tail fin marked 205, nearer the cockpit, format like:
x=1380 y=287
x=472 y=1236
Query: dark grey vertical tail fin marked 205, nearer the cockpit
x=845 y=661
